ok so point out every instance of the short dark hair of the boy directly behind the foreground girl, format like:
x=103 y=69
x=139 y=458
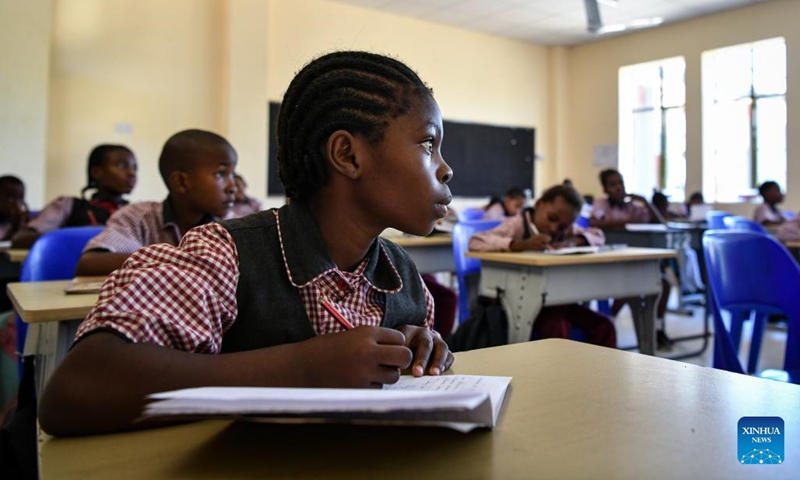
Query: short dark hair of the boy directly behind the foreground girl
x=182 y=148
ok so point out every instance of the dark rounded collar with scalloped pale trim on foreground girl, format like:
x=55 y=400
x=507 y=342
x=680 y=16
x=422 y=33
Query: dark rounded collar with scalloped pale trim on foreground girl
x=306 y=256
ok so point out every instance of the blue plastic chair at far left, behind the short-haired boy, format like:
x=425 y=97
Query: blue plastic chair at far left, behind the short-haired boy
x=53 y=256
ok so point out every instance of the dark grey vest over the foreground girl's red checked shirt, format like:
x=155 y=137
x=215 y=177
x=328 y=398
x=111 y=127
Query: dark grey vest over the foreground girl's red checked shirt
x=270 y=309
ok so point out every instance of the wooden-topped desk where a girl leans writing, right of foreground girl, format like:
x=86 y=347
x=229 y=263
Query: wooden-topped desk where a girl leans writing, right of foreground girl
x=532 y=280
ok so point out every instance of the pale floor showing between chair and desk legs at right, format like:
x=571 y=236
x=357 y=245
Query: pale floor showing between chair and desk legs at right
x=678 y=325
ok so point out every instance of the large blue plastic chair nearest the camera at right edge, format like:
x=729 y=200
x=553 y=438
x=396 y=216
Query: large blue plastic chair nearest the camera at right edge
x=752 y=272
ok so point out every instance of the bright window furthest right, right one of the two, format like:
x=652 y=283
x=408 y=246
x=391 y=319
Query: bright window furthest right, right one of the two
x=744 y=119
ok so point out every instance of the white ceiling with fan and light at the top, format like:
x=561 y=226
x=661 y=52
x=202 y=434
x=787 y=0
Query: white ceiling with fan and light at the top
x=546 y=22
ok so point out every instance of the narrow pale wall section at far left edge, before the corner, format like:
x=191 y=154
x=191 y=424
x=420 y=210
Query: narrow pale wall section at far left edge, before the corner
x=24 y=64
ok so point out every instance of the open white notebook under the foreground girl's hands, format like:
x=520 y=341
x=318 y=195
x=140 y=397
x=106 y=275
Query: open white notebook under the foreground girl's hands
x=460 y=402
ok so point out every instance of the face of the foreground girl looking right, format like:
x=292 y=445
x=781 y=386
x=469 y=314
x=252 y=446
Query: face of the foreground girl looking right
x=405 y=176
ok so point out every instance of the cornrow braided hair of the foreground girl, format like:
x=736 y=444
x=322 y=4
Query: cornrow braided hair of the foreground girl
x=359 y=92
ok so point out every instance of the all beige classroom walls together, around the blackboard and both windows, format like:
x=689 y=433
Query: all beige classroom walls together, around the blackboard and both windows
x=158 y=67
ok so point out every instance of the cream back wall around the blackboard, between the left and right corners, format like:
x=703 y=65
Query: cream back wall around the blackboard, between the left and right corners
x=136 y=71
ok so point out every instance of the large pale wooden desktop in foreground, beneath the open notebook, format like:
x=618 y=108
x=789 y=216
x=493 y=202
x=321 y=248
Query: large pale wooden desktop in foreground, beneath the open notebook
x=573 y=411
